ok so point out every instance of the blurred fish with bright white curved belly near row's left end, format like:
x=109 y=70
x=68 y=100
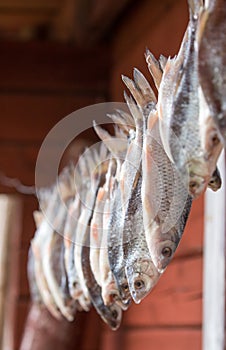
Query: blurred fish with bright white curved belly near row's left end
x=53 y=249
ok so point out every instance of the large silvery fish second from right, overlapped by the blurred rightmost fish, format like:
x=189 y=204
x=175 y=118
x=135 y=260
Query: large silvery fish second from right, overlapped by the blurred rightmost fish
x=179 y=111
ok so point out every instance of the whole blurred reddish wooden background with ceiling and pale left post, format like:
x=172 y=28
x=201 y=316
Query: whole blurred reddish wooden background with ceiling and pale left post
x=57 y=56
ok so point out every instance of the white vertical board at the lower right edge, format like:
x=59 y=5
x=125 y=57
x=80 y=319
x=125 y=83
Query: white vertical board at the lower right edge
x=214 y=267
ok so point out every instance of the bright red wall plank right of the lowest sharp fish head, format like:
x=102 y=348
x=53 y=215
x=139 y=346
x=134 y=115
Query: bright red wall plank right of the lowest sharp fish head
x=176 y=300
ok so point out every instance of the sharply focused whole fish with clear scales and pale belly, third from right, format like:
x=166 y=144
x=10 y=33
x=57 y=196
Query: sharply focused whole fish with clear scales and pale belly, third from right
x=166 y=202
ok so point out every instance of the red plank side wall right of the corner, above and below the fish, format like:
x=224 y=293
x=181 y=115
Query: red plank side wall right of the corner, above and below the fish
x=171 y=316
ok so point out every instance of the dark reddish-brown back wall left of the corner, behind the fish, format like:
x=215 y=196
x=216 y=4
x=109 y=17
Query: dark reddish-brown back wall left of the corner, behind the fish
x=41 y=84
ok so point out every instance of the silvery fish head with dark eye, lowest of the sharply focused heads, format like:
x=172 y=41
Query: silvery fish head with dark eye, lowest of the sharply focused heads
x=142 y=275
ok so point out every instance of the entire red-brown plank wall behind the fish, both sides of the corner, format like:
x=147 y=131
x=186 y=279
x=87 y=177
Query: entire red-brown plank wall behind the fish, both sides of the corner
x=42 y=83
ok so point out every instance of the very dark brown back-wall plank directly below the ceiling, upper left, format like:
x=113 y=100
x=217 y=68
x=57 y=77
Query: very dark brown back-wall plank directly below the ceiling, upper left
x=53 y=67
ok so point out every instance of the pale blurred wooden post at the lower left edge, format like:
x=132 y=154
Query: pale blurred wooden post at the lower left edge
x=10 y=207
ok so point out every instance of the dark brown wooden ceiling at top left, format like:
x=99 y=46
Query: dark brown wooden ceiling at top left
x=77 y=21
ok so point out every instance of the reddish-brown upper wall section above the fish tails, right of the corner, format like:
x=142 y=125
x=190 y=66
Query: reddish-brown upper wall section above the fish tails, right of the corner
x=159 y=26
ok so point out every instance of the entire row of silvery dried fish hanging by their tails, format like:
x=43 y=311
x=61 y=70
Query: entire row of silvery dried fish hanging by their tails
x=109 y=227
